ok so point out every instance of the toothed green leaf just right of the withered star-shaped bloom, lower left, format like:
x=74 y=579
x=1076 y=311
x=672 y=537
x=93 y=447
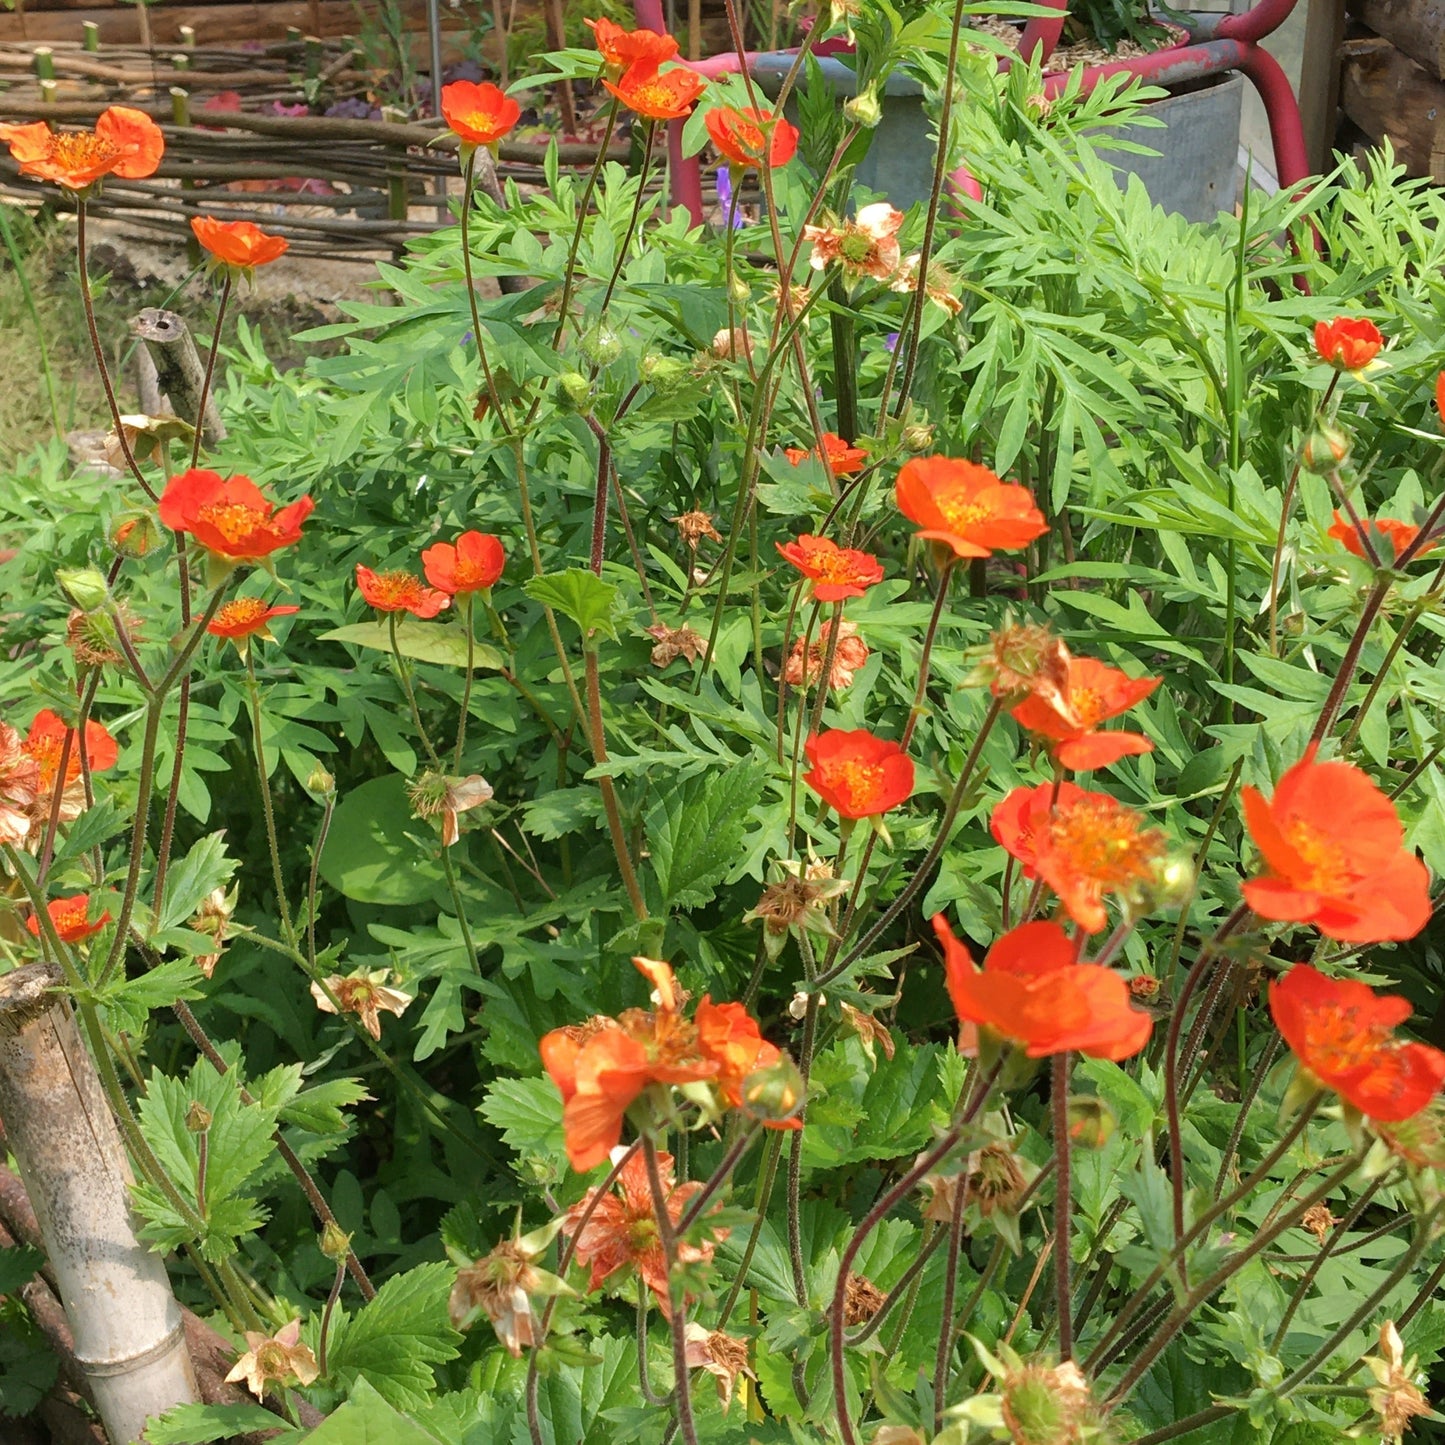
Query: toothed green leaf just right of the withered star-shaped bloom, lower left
x=397 y=1339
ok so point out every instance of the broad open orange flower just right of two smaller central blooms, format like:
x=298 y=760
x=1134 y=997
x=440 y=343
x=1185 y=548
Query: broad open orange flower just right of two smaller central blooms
x=967 y=508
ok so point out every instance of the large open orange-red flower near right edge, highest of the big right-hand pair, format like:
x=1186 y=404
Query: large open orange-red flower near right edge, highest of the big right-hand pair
x=1334 y=856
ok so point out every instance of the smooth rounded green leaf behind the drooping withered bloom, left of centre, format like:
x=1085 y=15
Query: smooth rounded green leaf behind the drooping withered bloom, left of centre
x=374 y=853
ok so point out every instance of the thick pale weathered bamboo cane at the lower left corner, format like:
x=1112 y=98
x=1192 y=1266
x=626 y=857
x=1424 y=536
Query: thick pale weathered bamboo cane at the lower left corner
x=126 y=1324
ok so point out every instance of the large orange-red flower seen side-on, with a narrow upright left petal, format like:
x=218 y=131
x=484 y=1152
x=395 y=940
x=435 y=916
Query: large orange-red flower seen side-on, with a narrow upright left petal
x=1035 y=995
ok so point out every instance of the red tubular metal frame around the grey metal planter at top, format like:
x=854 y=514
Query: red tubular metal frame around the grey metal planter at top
x=1216 y=44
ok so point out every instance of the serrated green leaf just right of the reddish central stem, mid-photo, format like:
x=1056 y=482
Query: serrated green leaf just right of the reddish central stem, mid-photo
x=696 y=832
